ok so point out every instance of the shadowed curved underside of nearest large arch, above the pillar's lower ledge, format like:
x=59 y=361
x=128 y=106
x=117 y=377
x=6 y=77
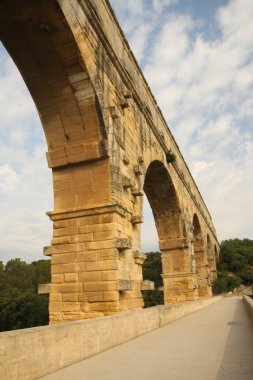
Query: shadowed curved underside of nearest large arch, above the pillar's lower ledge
x=41 y=43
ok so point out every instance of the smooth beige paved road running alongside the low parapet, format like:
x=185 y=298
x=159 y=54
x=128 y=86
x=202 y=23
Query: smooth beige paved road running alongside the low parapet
x=201 y=346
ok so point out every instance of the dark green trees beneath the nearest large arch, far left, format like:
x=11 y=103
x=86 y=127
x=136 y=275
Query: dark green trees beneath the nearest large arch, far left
x=20 y=305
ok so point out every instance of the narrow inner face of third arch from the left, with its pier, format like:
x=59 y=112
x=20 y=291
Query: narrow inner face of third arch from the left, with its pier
x=200 y=256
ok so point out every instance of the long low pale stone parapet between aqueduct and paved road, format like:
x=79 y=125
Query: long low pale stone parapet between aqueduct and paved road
x=30 y=353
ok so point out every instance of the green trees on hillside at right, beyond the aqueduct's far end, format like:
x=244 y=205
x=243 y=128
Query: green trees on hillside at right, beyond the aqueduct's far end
x=235 y=266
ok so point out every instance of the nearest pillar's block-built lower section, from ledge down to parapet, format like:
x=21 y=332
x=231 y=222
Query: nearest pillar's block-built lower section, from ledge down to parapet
x=94 y=272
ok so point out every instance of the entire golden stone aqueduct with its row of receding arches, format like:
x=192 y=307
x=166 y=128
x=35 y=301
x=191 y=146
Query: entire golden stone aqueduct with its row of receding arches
x=108 y=143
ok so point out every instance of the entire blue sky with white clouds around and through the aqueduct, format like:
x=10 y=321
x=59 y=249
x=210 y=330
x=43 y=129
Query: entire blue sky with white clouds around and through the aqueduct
x=197 y=57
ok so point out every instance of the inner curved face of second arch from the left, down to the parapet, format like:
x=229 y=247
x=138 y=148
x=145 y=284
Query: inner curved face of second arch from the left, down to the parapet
x=163 y=198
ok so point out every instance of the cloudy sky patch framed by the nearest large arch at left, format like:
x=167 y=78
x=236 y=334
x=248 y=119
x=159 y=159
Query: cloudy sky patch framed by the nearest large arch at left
x=25 y=180
